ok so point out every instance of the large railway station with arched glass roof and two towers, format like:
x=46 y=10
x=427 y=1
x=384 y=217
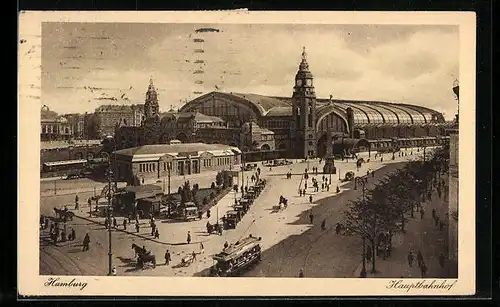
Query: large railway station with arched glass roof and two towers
x=303 y=124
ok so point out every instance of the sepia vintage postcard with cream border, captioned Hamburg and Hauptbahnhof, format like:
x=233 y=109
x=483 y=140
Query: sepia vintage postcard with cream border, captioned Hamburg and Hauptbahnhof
x=238 y=153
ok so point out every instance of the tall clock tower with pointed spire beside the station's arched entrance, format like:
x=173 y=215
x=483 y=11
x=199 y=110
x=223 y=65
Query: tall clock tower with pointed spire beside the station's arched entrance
x=304 y=111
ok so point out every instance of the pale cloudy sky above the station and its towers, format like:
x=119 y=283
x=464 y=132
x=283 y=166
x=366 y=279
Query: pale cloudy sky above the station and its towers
x=85 y=65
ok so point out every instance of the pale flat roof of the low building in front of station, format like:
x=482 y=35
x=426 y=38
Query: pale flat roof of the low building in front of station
x=154 y=152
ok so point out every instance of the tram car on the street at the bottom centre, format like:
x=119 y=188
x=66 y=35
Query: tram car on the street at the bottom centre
x=237 y=258
